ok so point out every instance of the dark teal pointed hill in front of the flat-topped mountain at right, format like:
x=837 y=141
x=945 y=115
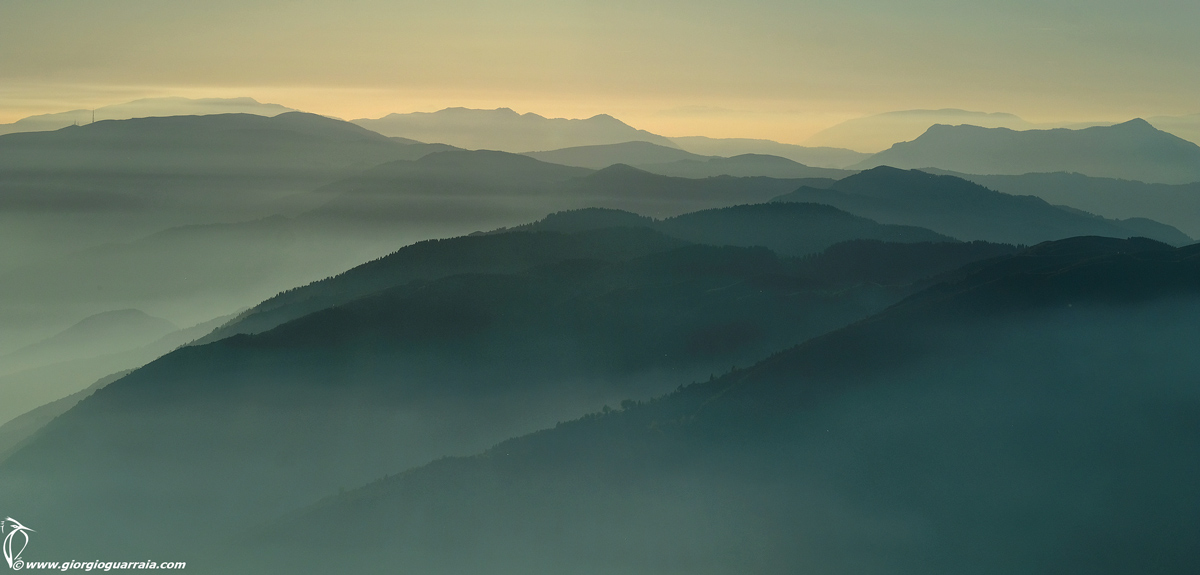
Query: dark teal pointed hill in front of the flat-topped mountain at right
x=969 y=212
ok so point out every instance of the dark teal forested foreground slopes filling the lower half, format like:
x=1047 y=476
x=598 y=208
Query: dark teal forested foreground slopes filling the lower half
x=829 y=440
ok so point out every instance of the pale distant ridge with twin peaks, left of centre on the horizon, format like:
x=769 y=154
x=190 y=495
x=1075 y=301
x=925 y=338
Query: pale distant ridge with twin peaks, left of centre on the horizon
x=506 y=130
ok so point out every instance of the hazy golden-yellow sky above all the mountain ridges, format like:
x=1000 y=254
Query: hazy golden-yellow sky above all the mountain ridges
x=769 y=69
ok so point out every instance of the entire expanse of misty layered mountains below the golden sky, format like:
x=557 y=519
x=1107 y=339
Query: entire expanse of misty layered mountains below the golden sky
x=699 y=362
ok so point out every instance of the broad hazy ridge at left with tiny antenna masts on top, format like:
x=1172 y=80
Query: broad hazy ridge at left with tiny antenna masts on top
x=227 y=164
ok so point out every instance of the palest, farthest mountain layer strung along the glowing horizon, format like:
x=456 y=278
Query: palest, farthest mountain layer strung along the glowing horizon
x=509 y=131
